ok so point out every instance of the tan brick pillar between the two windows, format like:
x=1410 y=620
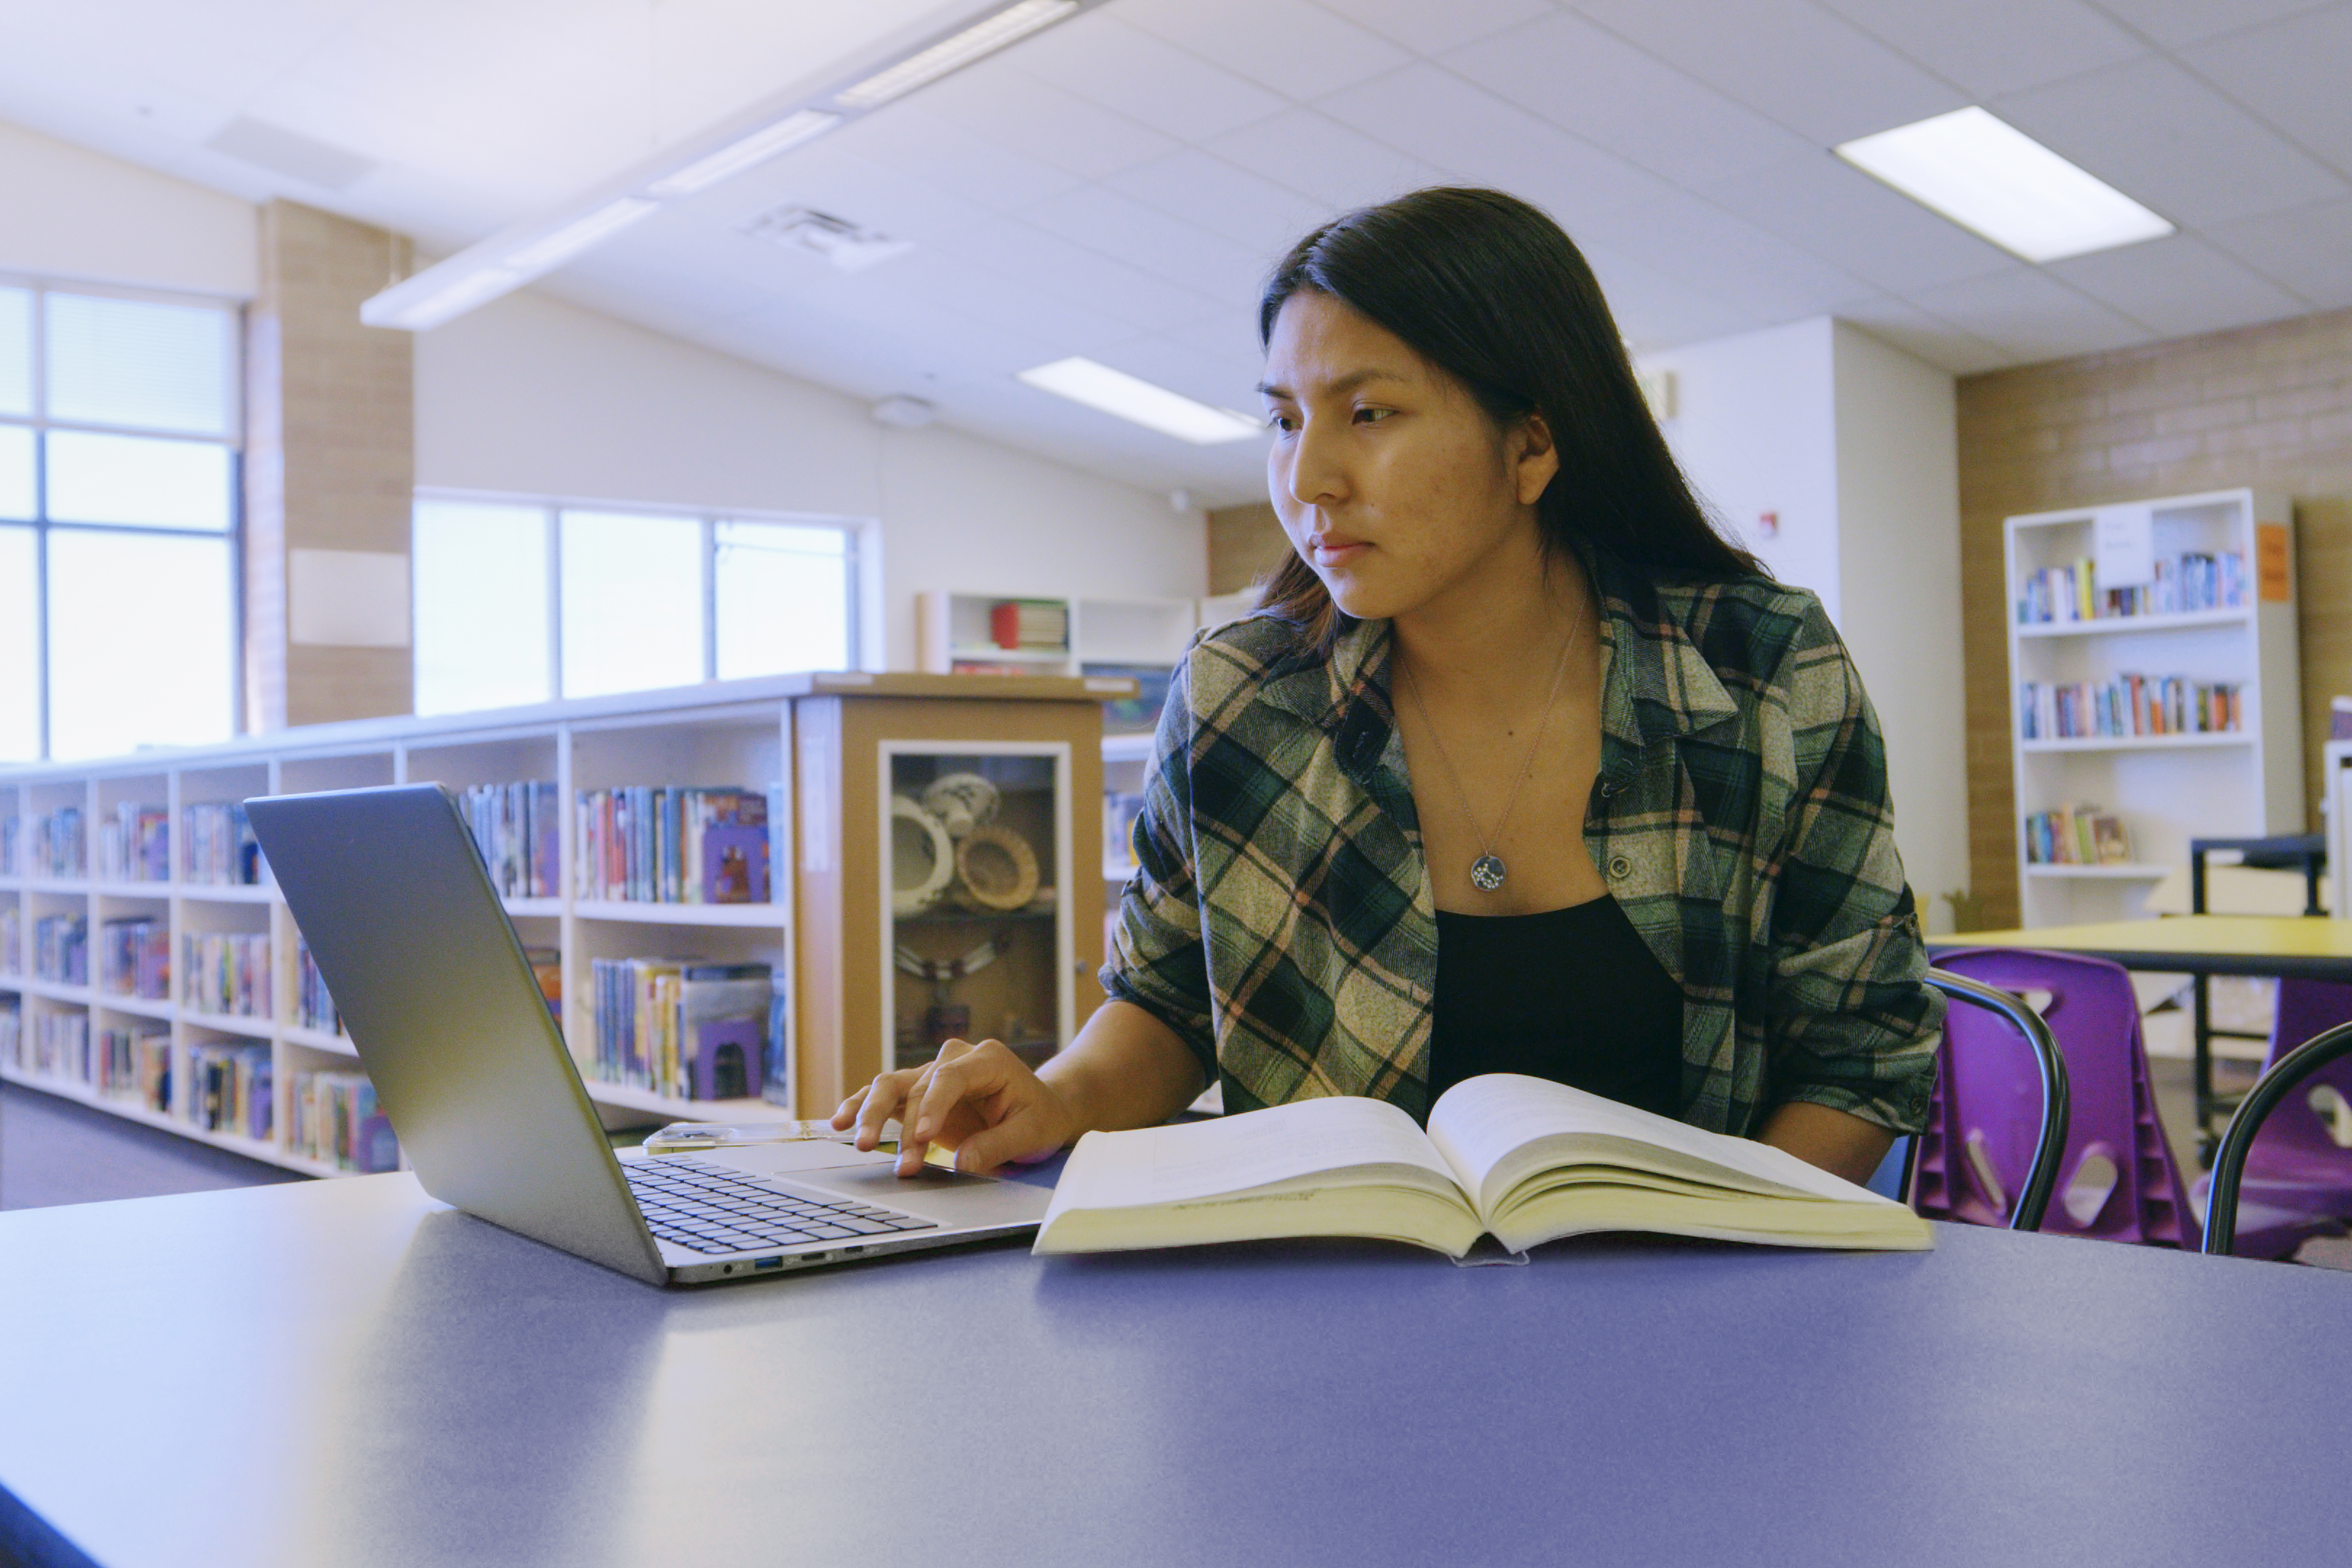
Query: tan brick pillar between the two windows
x=330 y=457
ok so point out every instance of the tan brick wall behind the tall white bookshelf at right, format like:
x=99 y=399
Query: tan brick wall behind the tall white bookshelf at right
x=2266 y=408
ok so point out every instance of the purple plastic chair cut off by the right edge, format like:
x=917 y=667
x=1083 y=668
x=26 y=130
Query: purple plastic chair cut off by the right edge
x=2299 y=1179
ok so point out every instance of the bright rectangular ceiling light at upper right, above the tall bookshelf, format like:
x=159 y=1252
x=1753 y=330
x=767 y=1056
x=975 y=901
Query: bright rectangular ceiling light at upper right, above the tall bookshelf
x=2003 y=185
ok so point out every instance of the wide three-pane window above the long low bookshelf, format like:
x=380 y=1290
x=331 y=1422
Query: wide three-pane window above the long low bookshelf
x=530 y=601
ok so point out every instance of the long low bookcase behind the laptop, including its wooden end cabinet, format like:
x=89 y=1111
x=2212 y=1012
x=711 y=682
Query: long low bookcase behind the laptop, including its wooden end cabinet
x=761 y=732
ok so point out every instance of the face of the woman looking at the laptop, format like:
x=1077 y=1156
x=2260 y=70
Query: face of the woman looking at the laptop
x=1389 y=478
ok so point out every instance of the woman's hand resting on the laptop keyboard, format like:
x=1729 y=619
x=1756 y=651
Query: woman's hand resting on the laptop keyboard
x=980 y=1101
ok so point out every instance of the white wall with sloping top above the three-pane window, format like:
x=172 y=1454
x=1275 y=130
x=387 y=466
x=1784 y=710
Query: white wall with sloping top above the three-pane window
x=537 y=396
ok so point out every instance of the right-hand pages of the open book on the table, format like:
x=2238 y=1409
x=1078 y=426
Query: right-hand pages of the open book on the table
x=1485 y=1130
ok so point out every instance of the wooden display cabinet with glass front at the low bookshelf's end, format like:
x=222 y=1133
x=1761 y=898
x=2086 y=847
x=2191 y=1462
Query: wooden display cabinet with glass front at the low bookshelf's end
x=869 y=892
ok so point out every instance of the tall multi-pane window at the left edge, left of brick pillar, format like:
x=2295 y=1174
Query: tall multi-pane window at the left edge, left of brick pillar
x=119 y=523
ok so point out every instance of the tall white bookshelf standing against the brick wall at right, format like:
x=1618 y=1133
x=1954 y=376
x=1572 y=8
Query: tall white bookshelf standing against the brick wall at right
x=2165 y=786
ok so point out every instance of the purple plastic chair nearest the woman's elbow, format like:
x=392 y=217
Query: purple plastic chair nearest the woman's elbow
x=2118 y=1179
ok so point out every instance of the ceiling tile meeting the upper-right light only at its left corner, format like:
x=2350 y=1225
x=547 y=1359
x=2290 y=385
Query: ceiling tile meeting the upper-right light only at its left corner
x=1617 y=98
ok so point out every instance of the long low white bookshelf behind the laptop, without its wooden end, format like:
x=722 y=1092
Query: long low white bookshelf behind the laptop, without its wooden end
x=716 y=735
